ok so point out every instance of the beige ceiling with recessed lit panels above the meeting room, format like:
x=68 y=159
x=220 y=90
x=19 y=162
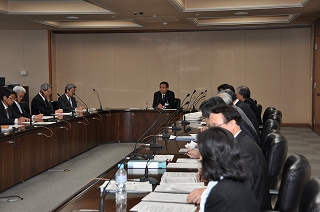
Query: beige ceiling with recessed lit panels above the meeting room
x=155 y=15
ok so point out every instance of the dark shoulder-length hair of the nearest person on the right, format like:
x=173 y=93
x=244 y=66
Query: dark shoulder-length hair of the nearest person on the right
x=220 y=153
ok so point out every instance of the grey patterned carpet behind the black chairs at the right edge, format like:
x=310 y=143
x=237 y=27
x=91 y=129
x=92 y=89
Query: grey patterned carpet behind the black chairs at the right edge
x=305 y=142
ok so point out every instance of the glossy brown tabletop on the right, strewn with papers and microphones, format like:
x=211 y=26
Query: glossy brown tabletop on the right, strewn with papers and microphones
x=88 y=197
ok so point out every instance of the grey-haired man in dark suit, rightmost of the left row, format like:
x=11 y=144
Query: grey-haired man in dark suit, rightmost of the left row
x=67 y=102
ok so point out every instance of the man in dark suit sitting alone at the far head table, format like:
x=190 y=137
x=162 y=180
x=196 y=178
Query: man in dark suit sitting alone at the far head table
x=163 y=98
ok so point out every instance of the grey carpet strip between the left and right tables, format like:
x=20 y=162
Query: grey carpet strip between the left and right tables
x=46 y=190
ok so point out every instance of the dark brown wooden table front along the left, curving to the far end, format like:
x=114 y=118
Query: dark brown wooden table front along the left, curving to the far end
x=27 y=152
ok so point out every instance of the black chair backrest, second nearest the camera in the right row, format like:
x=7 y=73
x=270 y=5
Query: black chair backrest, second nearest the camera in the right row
x=295 y=175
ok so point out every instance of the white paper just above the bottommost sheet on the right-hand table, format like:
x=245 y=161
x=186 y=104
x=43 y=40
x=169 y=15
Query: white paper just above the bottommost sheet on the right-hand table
x=165 y=197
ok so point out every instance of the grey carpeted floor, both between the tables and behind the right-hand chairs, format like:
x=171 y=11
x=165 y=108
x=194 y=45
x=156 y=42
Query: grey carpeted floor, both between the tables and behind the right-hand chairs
x=45 y=191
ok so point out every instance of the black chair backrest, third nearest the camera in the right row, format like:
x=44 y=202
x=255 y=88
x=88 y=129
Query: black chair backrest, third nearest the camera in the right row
x=275 y=150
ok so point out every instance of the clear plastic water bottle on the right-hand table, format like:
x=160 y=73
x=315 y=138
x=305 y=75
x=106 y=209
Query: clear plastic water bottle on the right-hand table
x=121 y=191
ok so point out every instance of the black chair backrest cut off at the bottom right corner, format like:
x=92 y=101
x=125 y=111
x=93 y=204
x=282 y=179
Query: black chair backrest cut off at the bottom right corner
x=310 y=199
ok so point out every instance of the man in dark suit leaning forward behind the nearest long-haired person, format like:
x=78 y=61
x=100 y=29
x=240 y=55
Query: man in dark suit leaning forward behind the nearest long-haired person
x=227 y=117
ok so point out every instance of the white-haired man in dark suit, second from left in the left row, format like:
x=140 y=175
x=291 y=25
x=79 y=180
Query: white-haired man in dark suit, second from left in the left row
x=22 y=109
